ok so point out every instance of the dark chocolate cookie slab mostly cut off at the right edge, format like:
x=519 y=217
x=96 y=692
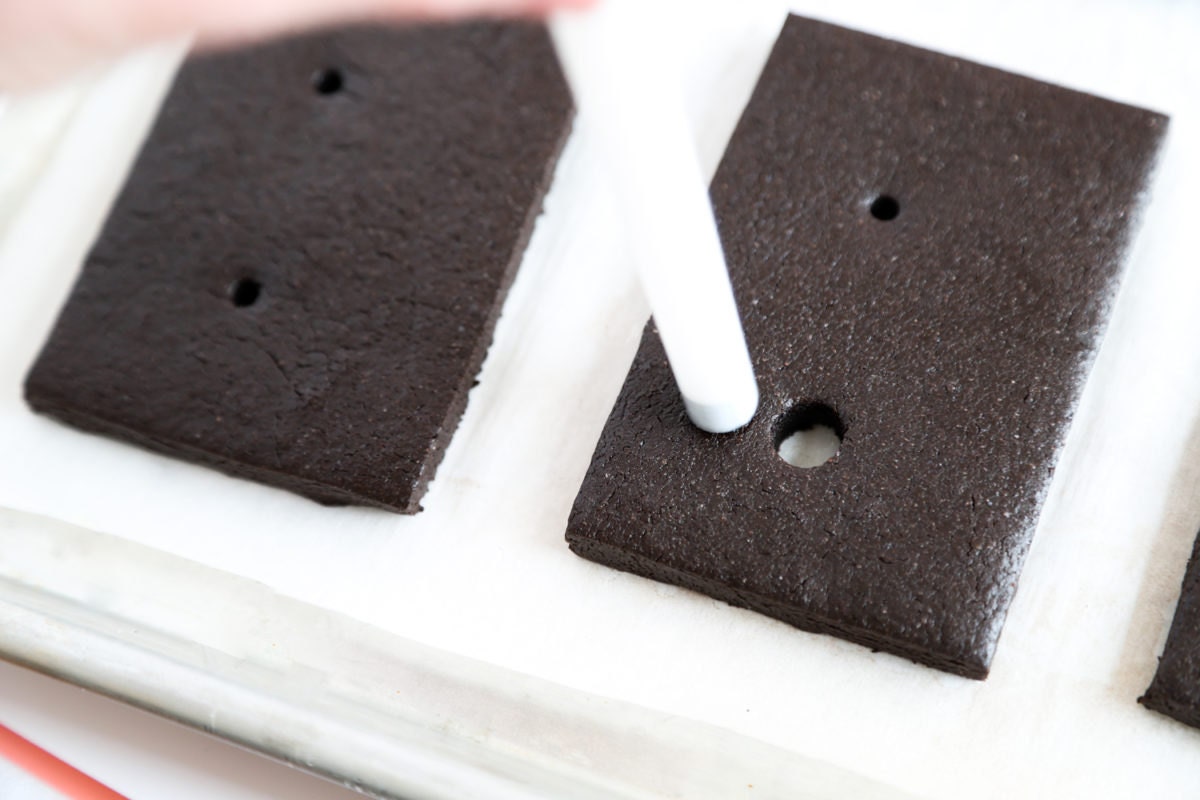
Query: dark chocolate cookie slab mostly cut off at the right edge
x=1175 y=690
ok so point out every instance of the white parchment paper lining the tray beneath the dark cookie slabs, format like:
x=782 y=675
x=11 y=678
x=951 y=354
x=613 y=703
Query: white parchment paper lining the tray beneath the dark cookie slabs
x=484 y=573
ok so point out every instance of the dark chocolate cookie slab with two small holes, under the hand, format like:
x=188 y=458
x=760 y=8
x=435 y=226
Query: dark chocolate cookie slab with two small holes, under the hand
x=301 y=281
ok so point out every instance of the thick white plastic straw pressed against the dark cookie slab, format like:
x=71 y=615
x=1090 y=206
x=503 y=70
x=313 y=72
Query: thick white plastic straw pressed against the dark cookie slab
x=632 y=100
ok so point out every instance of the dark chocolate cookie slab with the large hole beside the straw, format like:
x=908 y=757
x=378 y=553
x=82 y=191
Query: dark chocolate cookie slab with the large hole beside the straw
x=925 y=252
